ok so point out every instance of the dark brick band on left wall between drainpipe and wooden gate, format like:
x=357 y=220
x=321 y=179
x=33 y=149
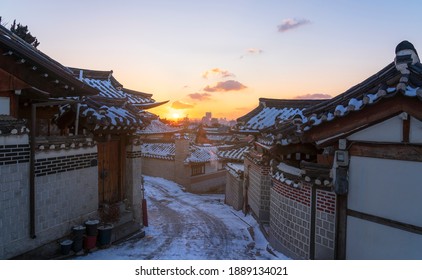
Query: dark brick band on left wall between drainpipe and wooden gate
x=48 y=166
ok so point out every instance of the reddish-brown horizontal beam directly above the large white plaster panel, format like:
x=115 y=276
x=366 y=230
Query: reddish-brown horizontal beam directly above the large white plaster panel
x=387 y=151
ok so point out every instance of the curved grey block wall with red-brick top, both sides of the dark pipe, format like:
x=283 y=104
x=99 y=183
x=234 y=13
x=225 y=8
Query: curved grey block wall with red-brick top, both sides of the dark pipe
x=291 y=221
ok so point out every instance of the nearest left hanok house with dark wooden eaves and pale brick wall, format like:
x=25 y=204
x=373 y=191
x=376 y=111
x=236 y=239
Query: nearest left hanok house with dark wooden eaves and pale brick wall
x=47 y=183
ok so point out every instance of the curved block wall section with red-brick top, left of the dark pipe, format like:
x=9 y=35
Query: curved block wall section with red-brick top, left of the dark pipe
x=290 y=220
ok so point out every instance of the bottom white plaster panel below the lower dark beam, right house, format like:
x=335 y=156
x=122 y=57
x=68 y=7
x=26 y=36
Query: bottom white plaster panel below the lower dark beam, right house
x=371 y=241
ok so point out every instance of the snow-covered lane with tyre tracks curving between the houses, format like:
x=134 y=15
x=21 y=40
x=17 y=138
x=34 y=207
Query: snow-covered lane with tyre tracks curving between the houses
x=185 y=226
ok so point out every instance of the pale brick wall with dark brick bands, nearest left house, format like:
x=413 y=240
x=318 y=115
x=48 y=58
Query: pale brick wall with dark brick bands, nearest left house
x=62 y=198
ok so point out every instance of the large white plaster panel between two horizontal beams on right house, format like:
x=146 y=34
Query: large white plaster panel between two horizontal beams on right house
x=387 y=188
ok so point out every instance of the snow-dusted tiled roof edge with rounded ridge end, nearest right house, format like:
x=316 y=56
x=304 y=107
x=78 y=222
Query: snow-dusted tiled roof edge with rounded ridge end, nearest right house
x=401 y=77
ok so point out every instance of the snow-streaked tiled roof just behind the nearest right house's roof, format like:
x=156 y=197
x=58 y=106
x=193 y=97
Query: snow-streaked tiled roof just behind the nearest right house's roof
x=269 y=111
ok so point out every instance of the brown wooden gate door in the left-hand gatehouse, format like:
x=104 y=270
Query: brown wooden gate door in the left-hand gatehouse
x=110 y=172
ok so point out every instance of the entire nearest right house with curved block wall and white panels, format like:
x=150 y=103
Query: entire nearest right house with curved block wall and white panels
x=358 y=195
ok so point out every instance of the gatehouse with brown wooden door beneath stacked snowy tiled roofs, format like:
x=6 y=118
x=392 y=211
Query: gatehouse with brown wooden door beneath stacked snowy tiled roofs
x=112 y=118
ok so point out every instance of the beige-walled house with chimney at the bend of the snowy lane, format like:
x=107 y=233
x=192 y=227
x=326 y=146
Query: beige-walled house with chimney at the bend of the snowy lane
x=196 y=167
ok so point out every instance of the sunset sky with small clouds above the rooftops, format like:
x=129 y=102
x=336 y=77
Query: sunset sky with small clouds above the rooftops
x=221 y=56
